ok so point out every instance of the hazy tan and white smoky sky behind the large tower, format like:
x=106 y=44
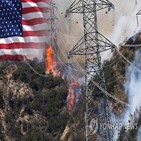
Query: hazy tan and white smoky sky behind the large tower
x=117 y=25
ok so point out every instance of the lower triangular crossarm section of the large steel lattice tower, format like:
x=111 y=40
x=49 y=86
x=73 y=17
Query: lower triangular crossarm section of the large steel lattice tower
x=80 y=48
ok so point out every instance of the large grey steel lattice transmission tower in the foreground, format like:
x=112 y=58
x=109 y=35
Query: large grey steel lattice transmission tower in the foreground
x=92 y=44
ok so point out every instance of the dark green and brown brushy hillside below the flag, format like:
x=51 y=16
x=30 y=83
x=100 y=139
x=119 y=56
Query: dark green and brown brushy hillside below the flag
x=32 y=108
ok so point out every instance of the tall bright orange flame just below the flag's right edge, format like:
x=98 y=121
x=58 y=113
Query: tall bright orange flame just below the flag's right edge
x=50 y=62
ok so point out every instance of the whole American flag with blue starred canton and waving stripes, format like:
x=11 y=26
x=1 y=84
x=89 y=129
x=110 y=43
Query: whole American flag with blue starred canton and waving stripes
x=23 y=28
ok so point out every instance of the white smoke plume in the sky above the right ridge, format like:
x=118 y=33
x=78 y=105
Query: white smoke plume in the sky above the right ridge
x=125 y=26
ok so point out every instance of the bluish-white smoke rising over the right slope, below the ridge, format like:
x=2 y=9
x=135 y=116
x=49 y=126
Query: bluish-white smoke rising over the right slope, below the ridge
x=133 y=85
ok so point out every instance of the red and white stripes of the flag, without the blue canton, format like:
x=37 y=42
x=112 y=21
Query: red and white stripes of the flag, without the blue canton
x=35 y=32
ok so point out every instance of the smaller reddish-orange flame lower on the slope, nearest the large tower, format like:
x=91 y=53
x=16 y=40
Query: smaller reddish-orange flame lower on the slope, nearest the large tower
x=71 y=96
